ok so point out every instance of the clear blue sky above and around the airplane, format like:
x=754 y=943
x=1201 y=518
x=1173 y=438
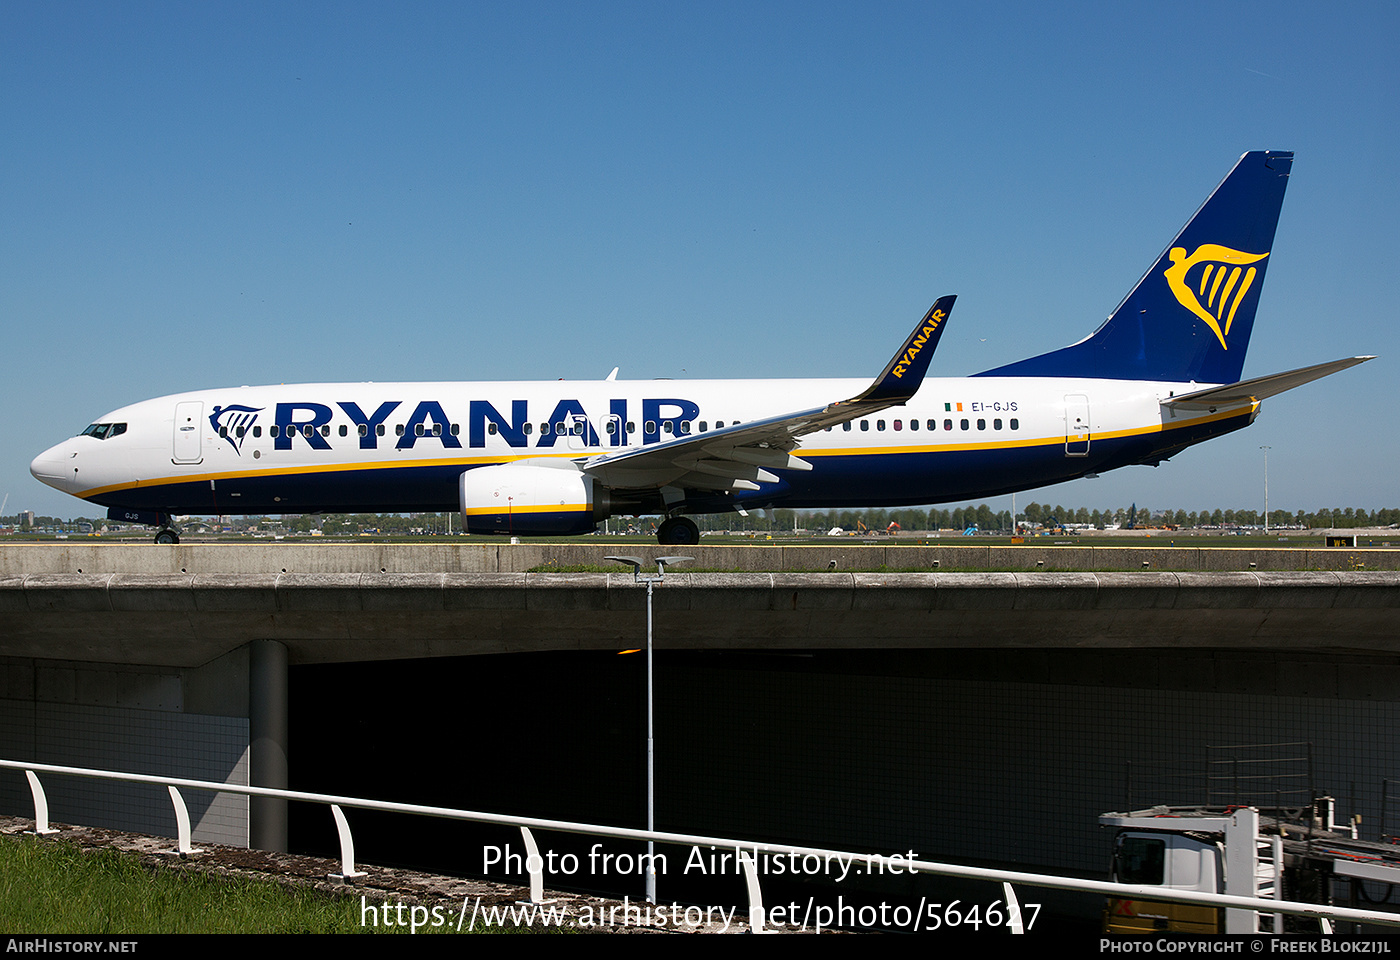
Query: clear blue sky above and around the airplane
x=208 y=195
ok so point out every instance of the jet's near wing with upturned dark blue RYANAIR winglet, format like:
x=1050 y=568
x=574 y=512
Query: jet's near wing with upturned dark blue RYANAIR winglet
x=736 y=457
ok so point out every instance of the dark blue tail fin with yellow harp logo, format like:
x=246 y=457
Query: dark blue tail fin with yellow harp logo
x=1189 y=318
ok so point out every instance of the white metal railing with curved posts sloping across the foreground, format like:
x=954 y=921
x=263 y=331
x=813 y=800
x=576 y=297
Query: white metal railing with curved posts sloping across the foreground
x=747 y=852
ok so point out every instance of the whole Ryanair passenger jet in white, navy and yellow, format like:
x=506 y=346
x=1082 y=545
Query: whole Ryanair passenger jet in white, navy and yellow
x=556 y=458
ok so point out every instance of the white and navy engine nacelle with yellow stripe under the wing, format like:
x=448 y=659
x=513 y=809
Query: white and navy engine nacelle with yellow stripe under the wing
x=531 y=499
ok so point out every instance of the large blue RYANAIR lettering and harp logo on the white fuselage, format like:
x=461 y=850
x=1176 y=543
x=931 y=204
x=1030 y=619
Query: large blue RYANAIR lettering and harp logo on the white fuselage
x=402 y=426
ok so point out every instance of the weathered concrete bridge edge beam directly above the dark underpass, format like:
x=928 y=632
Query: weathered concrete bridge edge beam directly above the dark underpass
x=188 y=621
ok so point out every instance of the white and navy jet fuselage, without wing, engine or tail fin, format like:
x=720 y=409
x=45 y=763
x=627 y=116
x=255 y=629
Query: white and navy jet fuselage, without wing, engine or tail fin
x=401 y=447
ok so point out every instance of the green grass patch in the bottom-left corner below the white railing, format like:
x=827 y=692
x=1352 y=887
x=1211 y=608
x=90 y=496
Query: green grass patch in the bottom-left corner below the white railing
x=52 y=887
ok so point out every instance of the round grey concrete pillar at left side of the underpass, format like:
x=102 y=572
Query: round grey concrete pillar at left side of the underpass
x=268 y=744
